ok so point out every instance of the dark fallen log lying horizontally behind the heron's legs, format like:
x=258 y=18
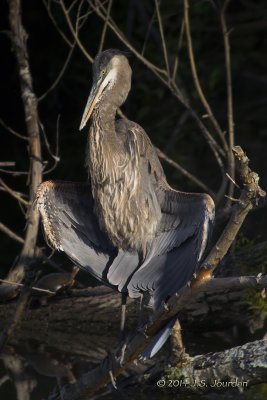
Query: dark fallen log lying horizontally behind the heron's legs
x=218 y=308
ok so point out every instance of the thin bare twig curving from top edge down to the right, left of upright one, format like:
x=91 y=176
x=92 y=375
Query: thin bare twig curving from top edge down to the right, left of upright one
x=196 y=80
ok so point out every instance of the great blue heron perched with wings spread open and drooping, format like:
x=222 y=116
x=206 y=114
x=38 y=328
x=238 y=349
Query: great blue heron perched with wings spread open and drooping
x=126 y=226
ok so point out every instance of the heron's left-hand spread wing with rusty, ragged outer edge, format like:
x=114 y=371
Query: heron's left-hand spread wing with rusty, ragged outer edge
x=70 y=225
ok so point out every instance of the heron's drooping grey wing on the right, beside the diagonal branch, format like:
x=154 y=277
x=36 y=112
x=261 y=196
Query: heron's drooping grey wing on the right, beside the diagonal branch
x=176 y=252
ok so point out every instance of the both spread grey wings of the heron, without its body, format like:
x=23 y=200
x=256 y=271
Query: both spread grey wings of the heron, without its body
x=174 y=254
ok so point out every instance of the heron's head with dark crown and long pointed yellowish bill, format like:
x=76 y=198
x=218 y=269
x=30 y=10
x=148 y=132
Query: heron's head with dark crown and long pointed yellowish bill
x=111 y=82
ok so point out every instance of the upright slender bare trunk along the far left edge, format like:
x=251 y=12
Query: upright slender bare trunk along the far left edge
x=28 y=253
